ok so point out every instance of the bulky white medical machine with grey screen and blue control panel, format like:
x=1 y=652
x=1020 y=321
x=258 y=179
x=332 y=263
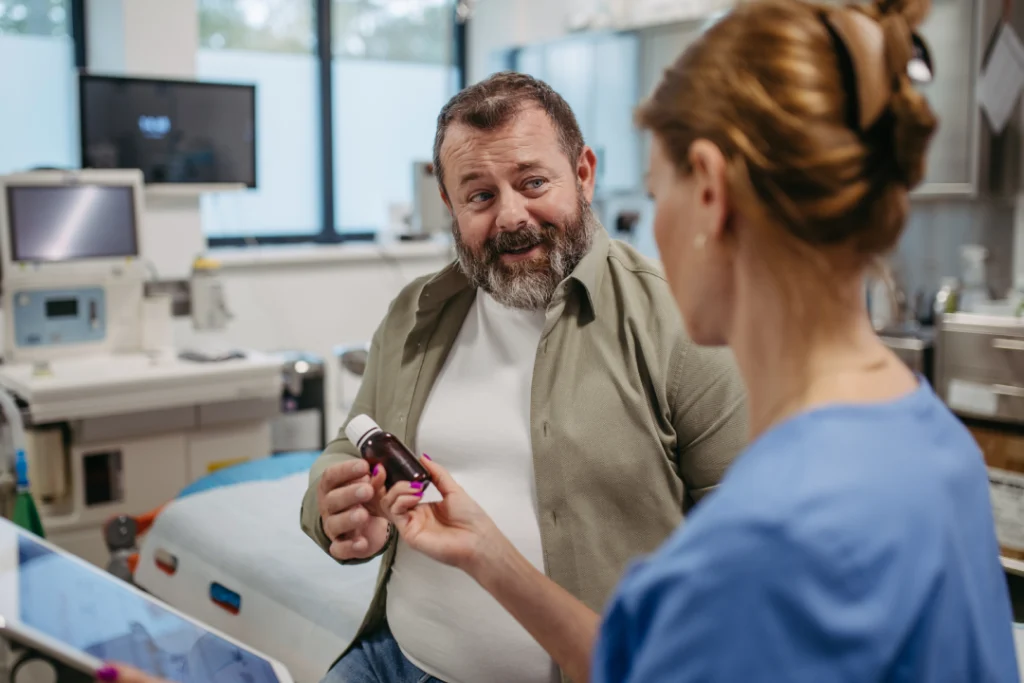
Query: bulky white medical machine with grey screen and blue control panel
x=114 y=426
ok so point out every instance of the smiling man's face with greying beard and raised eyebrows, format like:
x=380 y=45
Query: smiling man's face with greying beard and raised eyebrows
x=522 y=210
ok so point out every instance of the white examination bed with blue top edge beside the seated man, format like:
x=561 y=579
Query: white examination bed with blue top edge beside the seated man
x=230 y=551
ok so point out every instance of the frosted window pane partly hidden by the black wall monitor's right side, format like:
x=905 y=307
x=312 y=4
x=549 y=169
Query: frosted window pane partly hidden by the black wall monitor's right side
x=273 y=45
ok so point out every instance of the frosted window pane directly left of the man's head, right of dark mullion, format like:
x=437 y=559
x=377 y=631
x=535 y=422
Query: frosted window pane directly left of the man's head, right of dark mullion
x=394 y=71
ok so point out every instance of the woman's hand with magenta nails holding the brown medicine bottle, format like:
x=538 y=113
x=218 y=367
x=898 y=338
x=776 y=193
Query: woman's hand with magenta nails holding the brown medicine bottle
x=456 y=532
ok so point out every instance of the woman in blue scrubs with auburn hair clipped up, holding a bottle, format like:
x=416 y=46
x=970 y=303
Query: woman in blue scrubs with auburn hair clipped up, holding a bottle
x=854 y=541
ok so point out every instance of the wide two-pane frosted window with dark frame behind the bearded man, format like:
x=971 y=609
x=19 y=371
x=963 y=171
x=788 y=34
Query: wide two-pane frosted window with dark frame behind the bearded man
x=391 y=66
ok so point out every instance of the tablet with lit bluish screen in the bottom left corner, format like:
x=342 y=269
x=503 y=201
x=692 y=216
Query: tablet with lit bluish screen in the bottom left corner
x=99 y=618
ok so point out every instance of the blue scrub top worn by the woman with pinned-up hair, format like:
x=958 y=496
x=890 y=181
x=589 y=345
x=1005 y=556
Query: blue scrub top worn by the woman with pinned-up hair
x=852 y=543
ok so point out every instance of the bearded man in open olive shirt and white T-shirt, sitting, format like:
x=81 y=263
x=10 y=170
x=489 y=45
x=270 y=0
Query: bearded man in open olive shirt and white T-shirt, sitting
x=548 y=371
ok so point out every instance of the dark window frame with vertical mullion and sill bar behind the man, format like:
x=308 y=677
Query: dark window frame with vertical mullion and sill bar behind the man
x=329 y=234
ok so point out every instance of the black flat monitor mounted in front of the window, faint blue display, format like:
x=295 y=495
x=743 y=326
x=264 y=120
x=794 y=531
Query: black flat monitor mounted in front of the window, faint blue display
x=174 y=132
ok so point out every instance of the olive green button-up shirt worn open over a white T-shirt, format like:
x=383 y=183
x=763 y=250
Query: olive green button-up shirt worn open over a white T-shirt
x=631 y=422
